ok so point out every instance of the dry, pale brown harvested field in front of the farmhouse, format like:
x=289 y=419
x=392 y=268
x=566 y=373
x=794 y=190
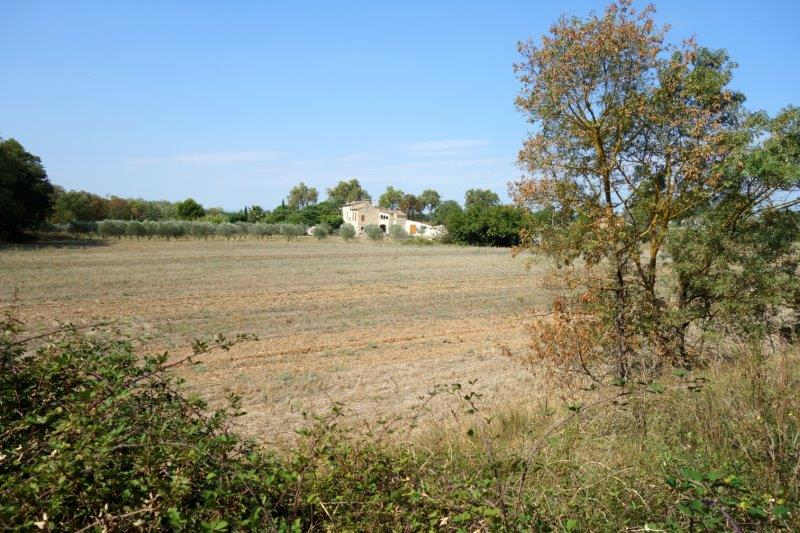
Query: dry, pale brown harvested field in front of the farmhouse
x=374 y=326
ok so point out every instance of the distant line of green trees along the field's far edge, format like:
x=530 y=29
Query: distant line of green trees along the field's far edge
x=29 y=201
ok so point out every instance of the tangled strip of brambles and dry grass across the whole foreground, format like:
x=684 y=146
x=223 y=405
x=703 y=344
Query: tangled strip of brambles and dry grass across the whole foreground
x=95 y=437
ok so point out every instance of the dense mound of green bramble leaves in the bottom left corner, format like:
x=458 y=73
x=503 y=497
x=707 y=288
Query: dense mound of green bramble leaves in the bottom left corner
x=97 y=437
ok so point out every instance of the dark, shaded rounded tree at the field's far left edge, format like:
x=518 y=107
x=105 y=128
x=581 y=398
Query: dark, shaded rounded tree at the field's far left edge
x=25 y=191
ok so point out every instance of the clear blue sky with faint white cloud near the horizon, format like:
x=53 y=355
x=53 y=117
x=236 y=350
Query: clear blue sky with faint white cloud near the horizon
x=234 y=102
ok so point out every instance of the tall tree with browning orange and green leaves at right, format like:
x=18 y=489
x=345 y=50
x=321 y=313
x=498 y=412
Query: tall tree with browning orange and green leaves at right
x=638 y=145
